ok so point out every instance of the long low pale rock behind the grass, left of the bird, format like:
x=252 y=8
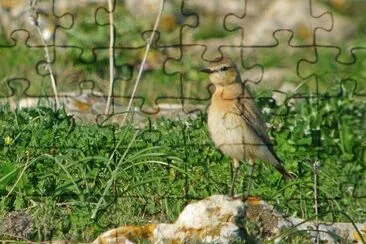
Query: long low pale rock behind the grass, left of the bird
x=88 y=106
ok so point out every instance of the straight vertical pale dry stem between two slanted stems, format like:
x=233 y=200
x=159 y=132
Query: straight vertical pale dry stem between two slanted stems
x=111 y=56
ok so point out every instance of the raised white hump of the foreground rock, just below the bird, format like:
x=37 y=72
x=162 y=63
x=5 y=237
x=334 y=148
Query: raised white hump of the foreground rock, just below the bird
x=212 y=220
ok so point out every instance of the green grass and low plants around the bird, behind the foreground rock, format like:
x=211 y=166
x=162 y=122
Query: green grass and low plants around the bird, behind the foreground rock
x=60 y=172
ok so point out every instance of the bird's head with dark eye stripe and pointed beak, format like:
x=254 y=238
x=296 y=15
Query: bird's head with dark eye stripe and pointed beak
x=222 y=72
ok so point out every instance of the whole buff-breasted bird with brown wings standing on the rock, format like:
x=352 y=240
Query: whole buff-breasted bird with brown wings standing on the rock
x=236 y=124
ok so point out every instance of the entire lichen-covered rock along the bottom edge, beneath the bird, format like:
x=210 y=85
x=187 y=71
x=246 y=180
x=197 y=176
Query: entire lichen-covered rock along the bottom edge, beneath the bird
x=222 y=219
